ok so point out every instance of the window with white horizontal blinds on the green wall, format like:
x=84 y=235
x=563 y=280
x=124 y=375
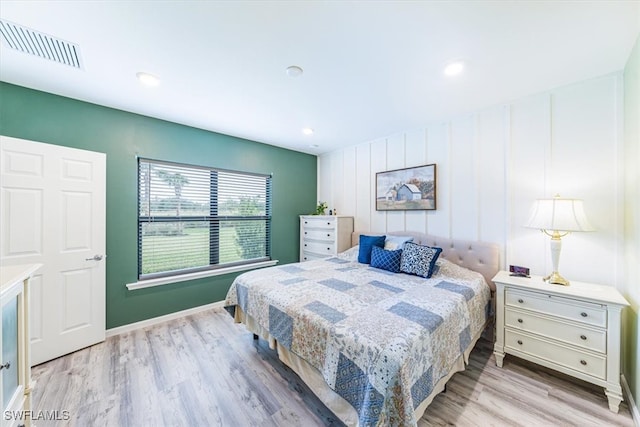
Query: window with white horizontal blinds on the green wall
x=193 y=218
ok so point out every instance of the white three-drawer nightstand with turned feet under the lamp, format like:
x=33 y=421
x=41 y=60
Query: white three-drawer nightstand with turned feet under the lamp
x=573 y=329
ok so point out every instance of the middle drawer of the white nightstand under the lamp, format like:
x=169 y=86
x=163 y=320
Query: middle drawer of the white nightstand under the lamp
x=582 y=336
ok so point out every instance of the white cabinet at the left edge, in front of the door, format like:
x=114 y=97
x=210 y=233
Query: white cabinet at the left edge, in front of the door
x=15 y=366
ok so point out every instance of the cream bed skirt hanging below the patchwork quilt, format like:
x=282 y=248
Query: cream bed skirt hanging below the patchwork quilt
x=316 y=383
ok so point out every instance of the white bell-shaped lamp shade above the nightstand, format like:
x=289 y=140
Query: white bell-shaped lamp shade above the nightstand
x=558 y=215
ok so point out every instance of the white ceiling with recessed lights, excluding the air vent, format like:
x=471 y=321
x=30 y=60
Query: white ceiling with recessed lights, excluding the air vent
x=371 y=68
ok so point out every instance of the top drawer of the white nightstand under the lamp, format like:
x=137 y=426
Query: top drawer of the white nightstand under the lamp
x=579 y=311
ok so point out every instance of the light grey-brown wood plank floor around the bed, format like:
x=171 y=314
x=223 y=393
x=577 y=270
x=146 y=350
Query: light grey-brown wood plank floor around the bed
x=203 y=370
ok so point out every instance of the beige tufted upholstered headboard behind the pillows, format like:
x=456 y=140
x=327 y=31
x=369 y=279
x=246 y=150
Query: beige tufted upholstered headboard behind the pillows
x=477 y=256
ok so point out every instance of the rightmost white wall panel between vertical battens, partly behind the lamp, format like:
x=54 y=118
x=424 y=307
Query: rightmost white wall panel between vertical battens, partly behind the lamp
x=585 y=166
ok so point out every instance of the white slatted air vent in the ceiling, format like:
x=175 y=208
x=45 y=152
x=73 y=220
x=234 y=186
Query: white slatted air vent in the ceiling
x=35 y=43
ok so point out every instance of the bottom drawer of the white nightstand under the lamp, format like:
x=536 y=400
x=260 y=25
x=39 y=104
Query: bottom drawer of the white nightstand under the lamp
x=571 y=358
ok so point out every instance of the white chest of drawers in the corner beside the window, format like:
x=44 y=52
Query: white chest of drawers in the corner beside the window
x=324 y=235
